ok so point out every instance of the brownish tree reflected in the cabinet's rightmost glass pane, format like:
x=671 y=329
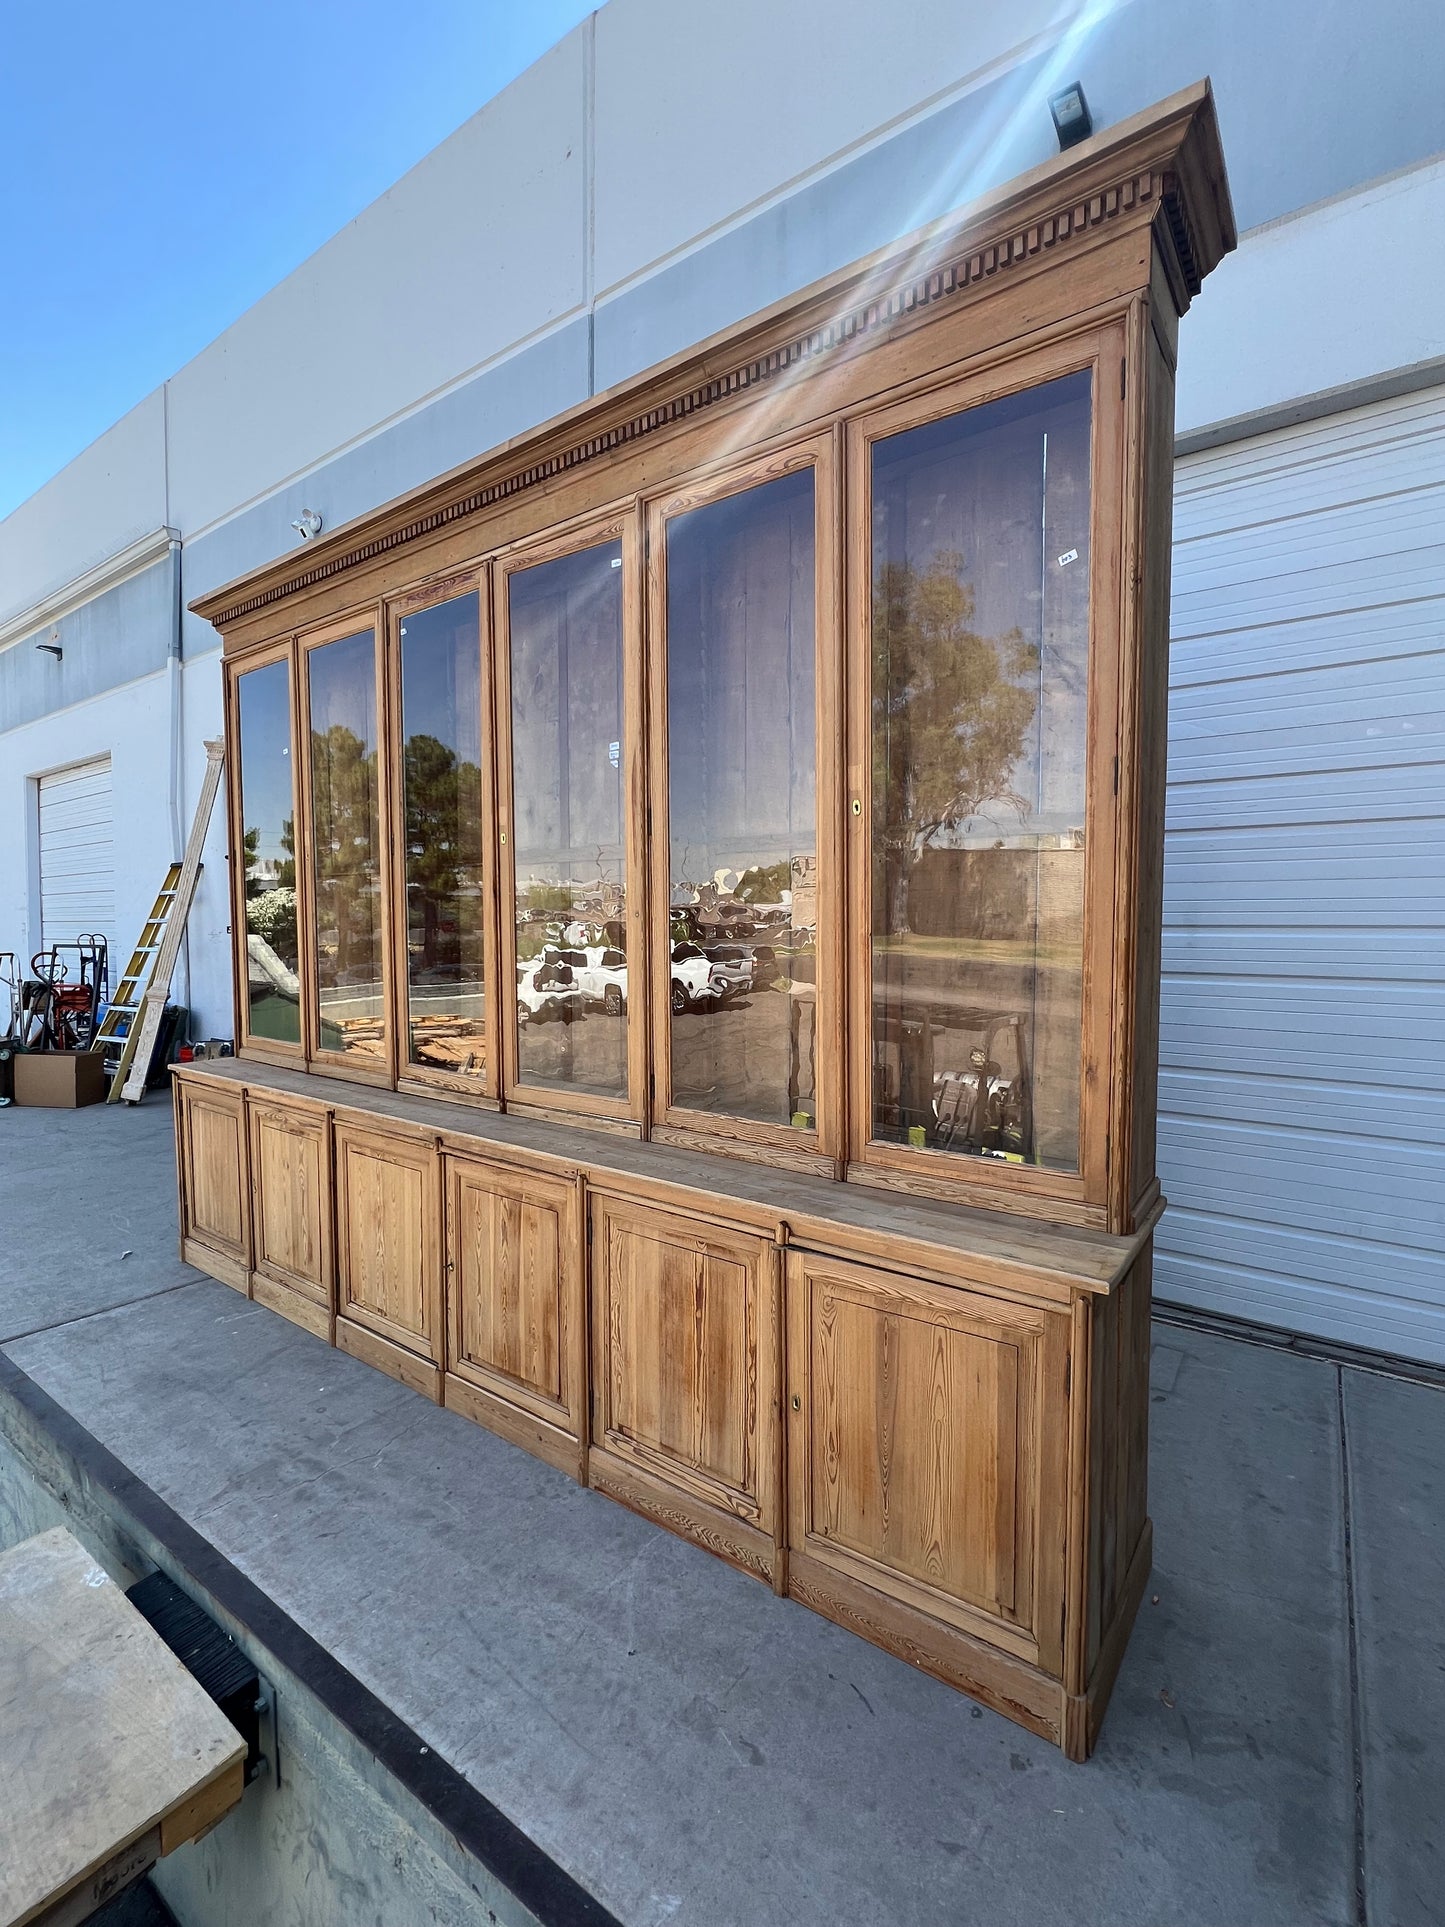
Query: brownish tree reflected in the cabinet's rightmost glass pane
x=949 y=718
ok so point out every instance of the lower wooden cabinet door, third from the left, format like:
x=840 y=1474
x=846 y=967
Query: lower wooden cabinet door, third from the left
x=388 y=1211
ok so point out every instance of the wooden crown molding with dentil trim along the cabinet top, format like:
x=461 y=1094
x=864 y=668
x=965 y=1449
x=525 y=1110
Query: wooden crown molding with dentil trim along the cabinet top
x=1163 y=167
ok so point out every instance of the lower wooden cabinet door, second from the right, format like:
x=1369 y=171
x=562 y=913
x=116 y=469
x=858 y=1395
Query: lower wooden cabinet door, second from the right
x=687 y=1377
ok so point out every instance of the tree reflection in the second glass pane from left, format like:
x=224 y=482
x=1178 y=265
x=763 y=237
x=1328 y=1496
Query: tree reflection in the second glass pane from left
x=344 y=814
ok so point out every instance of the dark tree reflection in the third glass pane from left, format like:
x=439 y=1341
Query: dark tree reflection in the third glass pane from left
x=444 y=841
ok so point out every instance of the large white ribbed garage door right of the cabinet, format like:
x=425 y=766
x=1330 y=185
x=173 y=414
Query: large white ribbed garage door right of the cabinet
x=1303 y=1030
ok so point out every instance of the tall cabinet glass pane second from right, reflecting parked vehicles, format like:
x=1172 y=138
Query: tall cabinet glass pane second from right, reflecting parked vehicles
x=741 y=672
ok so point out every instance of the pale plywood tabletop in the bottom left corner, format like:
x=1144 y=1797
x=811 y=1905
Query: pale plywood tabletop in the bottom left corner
x=107 y=1743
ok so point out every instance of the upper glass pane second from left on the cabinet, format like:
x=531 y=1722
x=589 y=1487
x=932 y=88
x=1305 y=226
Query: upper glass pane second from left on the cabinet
x=346 y=849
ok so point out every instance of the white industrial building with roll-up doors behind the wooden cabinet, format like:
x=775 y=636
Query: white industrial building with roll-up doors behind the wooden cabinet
x=671 y=169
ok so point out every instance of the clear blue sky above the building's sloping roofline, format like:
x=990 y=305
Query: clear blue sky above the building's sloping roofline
x=163 y=167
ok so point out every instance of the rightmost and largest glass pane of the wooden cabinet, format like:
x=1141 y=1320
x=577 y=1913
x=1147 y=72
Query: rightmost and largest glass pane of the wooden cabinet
x=980 y=720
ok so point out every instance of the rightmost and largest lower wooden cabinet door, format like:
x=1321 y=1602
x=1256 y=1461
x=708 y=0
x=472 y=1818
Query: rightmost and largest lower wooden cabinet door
x=928 y=1456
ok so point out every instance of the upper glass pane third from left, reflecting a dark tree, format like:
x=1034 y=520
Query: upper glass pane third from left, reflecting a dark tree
x=442 y=799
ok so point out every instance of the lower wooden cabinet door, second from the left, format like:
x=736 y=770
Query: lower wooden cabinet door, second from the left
x=292 y=1213
